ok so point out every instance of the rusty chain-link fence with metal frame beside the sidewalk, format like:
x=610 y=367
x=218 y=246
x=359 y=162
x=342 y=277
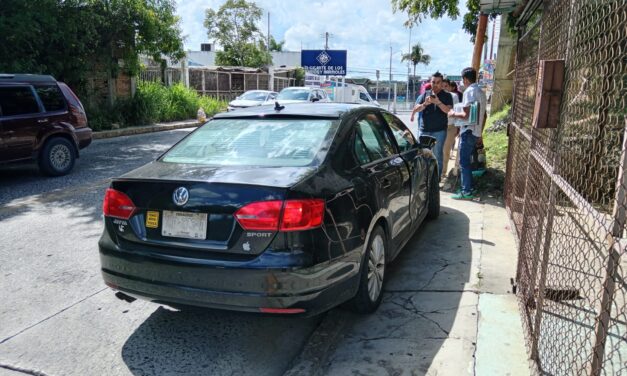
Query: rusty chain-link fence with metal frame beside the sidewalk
x=566 y=188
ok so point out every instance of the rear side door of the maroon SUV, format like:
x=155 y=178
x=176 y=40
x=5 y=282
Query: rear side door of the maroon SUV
x=21 y=116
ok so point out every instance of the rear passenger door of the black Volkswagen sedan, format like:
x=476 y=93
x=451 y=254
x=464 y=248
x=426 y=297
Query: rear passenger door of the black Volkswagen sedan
x=387 y=173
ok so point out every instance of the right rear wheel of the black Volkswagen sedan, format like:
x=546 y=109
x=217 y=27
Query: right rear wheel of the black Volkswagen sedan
x=372 y=274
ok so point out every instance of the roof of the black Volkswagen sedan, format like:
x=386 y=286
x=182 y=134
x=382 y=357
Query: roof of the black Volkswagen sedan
x=322 y=110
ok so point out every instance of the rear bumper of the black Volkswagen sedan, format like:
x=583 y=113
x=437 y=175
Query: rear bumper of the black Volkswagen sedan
x=194 y=282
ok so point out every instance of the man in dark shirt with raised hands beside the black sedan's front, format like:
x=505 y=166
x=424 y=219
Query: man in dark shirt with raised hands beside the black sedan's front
x=434 y=104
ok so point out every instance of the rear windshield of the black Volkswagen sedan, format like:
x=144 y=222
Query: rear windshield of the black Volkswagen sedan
x=255 y=142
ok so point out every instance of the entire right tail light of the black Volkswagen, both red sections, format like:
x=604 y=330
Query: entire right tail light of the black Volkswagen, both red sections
x=289 y=215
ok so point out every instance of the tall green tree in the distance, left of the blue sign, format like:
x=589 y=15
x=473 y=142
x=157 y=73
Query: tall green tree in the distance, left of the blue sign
x=235 y=28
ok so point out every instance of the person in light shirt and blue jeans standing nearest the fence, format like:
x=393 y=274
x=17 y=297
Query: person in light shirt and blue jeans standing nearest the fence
x=470 y=133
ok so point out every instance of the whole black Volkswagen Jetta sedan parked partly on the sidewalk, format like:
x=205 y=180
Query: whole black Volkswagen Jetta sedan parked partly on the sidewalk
x=288 y=210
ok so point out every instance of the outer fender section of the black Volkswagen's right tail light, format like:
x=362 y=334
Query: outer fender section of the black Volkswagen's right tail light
x=302 y=214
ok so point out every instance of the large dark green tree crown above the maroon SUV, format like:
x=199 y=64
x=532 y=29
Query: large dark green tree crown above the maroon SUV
x=71 y=39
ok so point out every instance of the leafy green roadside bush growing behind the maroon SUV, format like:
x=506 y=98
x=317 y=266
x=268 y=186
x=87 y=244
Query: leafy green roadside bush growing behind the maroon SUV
x=153 y=102
